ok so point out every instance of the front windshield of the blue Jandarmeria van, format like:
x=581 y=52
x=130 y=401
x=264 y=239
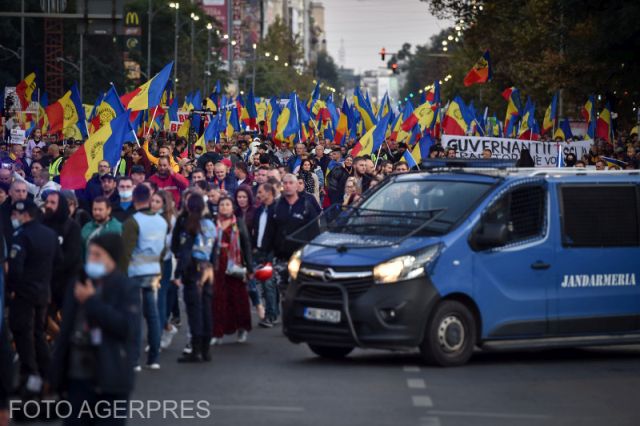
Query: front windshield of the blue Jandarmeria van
x=411 y=203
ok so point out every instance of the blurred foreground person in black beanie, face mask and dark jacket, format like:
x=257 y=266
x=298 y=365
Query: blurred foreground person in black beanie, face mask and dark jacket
x=93 y=355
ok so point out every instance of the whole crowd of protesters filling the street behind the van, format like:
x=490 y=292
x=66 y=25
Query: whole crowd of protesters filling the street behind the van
x=88 y=271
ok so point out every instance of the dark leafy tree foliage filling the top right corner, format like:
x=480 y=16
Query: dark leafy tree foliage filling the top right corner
x=542 y=46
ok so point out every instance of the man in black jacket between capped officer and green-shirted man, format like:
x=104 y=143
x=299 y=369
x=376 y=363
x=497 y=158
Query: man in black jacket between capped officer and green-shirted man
x=57 y=218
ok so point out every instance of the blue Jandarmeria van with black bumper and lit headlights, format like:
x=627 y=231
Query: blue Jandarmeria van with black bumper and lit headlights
x=451 y=260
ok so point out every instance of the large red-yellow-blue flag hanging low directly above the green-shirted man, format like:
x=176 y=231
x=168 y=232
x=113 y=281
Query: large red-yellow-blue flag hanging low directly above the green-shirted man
x=105 y=144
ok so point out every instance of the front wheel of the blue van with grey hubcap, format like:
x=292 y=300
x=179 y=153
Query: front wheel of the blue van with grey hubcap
x=450 y=335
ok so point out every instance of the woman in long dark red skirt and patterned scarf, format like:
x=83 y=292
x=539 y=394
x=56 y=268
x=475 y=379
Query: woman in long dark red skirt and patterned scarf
x=231 y=311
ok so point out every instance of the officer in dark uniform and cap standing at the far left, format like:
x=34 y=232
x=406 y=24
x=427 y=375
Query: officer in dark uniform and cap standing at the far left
x=32 y=256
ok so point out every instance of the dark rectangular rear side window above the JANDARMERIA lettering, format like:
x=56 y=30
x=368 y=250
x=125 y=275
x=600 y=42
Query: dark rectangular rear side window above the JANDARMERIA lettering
x=600 y=216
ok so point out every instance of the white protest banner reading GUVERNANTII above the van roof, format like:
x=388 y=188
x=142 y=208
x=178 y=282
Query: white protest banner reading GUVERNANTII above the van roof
x=544 y=154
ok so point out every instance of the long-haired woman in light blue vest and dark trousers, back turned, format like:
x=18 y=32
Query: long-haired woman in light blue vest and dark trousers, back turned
x=192 y=242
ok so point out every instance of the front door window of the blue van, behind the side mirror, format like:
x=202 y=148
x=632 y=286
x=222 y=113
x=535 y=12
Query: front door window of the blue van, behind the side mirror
x=518 y=215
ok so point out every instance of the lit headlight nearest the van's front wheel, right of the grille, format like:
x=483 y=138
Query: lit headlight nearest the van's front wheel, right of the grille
x=405 y=267
